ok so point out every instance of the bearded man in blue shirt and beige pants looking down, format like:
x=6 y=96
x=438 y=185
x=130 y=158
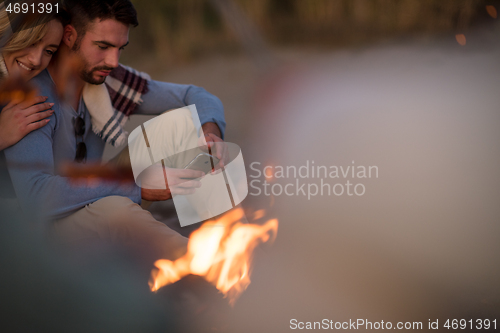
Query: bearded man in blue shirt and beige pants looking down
x=94 y=41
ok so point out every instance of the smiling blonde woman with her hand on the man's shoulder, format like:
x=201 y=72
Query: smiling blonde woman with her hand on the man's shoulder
x=26 y=54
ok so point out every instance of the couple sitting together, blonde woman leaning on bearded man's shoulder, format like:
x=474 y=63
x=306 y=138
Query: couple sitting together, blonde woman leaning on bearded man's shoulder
x=72 y=120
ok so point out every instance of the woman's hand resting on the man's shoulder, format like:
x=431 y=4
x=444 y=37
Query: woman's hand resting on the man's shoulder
x=18 y=118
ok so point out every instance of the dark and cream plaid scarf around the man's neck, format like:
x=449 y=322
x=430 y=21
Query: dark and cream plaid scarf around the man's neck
x=110 y=110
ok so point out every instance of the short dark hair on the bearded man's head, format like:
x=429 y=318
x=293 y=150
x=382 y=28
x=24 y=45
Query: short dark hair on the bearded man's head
x=85 y=11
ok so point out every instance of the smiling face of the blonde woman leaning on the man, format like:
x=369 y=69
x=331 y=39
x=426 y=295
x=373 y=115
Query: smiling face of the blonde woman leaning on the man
x=29 y=62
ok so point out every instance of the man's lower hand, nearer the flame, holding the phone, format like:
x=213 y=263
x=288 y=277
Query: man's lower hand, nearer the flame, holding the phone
x=159 y=184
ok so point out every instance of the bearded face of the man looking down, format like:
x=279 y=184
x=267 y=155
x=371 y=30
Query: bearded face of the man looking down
x=100 y=48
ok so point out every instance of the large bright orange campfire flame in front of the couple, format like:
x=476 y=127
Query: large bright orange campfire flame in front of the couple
x=221 y=251
